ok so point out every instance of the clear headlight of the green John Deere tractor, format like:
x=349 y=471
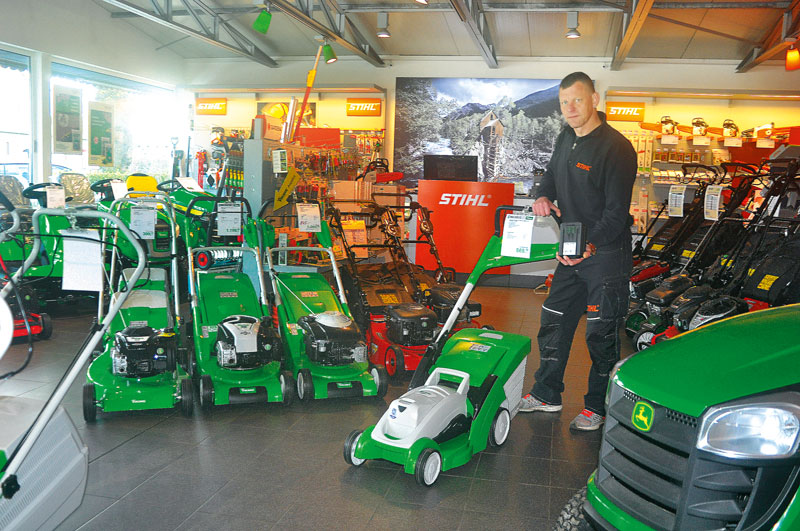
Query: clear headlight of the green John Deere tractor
x=751 y=431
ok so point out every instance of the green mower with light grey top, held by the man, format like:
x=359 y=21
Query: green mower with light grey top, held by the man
x=464 y=393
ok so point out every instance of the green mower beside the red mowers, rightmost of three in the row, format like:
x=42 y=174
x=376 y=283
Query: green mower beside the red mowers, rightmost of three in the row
x=325 y=348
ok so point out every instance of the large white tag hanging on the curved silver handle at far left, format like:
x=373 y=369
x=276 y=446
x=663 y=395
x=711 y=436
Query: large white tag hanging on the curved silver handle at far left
x=83 y=262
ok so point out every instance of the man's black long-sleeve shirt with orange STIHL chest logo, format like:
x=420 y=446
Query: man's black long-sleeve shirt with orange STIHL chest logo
x=592 y=178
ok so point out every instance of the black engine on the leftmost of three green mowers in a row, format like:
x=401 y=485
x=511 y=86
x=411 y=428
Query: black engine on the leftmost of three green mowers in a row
x=141 y=351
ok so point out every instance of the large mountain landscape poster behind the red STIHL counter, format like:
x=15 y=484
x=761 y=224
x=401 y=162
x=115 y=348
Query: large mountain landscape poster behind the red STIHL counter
x=510 y=124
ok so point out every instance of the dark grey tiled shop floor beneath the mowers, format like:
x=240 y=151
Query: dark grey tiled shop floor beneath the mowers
x=268 y=467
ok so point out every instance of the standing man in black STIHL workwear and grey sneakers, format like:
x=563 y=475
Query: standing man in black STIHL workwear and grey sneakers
x=591 y=175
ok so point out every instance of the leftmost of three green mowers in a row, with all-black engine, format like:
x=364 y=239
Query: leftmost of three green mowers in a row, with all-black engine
x=137 y=367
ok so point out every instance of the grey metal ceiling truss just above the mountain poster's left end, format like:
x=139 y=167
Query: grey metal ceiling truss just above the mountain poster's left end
x=303 y=13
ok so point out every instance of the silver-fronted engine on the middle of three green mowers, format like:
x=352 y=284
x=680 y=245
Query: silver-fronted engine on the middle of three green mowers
x=245 y=342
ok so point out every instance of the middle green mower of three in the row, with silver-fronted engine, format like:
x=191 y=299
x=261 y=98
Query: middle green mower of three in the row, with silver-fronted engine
x=237 y=355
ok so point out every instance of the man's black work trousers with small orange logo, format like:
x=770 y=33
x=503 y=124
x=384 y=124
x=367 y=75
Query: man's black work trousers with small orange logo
x=598 y=286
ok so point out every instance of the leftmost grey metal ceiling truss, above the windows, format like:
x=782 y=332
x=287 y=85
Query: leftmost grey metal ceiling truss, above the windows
x=241 y=46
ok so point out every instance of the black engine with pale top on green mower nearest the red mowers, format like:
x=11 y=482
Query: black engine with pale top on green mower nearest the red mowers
x=332 y=338
